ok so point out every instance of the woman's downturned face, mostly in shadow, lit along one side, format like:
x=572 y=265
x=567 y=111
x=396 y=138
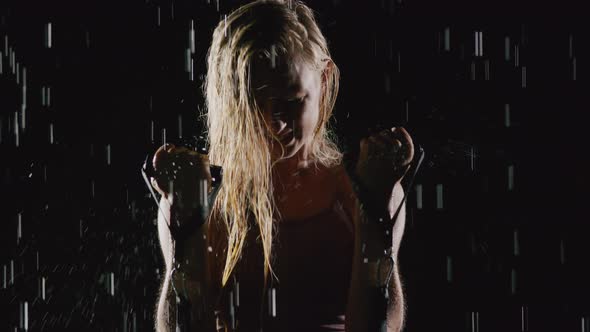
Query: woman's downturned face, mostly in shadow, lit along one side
x=289 y=96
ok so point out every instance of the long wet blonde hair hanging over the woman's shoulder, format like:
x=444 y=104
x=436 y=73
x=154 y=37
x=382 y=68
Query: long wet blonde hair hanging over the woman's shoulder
x=237 y=130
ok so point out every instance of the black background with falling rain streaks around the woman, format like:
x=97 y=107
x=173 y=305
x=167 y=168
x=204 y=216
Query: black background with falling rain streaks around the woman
x=79 y=243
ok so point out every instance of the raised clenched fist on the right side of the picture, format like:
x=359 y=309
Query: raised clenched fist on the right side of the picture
x=384 y=160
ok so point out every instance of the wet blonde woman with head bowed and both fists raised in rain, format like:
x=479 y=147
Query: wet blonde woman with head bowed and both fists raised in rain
x=285 y=245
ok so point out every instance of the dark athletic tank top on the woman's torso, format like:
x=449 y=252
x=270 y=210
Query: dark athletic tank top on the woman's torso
x=313 y=264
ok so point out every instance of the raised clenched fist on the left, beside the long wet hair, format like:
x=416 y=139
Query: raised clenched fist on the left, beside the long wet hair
x=183 y=178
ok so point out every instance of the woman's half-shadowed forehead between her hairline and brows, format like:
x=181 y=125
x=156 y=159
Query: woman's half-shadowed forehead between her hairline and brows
x=286 y=78
